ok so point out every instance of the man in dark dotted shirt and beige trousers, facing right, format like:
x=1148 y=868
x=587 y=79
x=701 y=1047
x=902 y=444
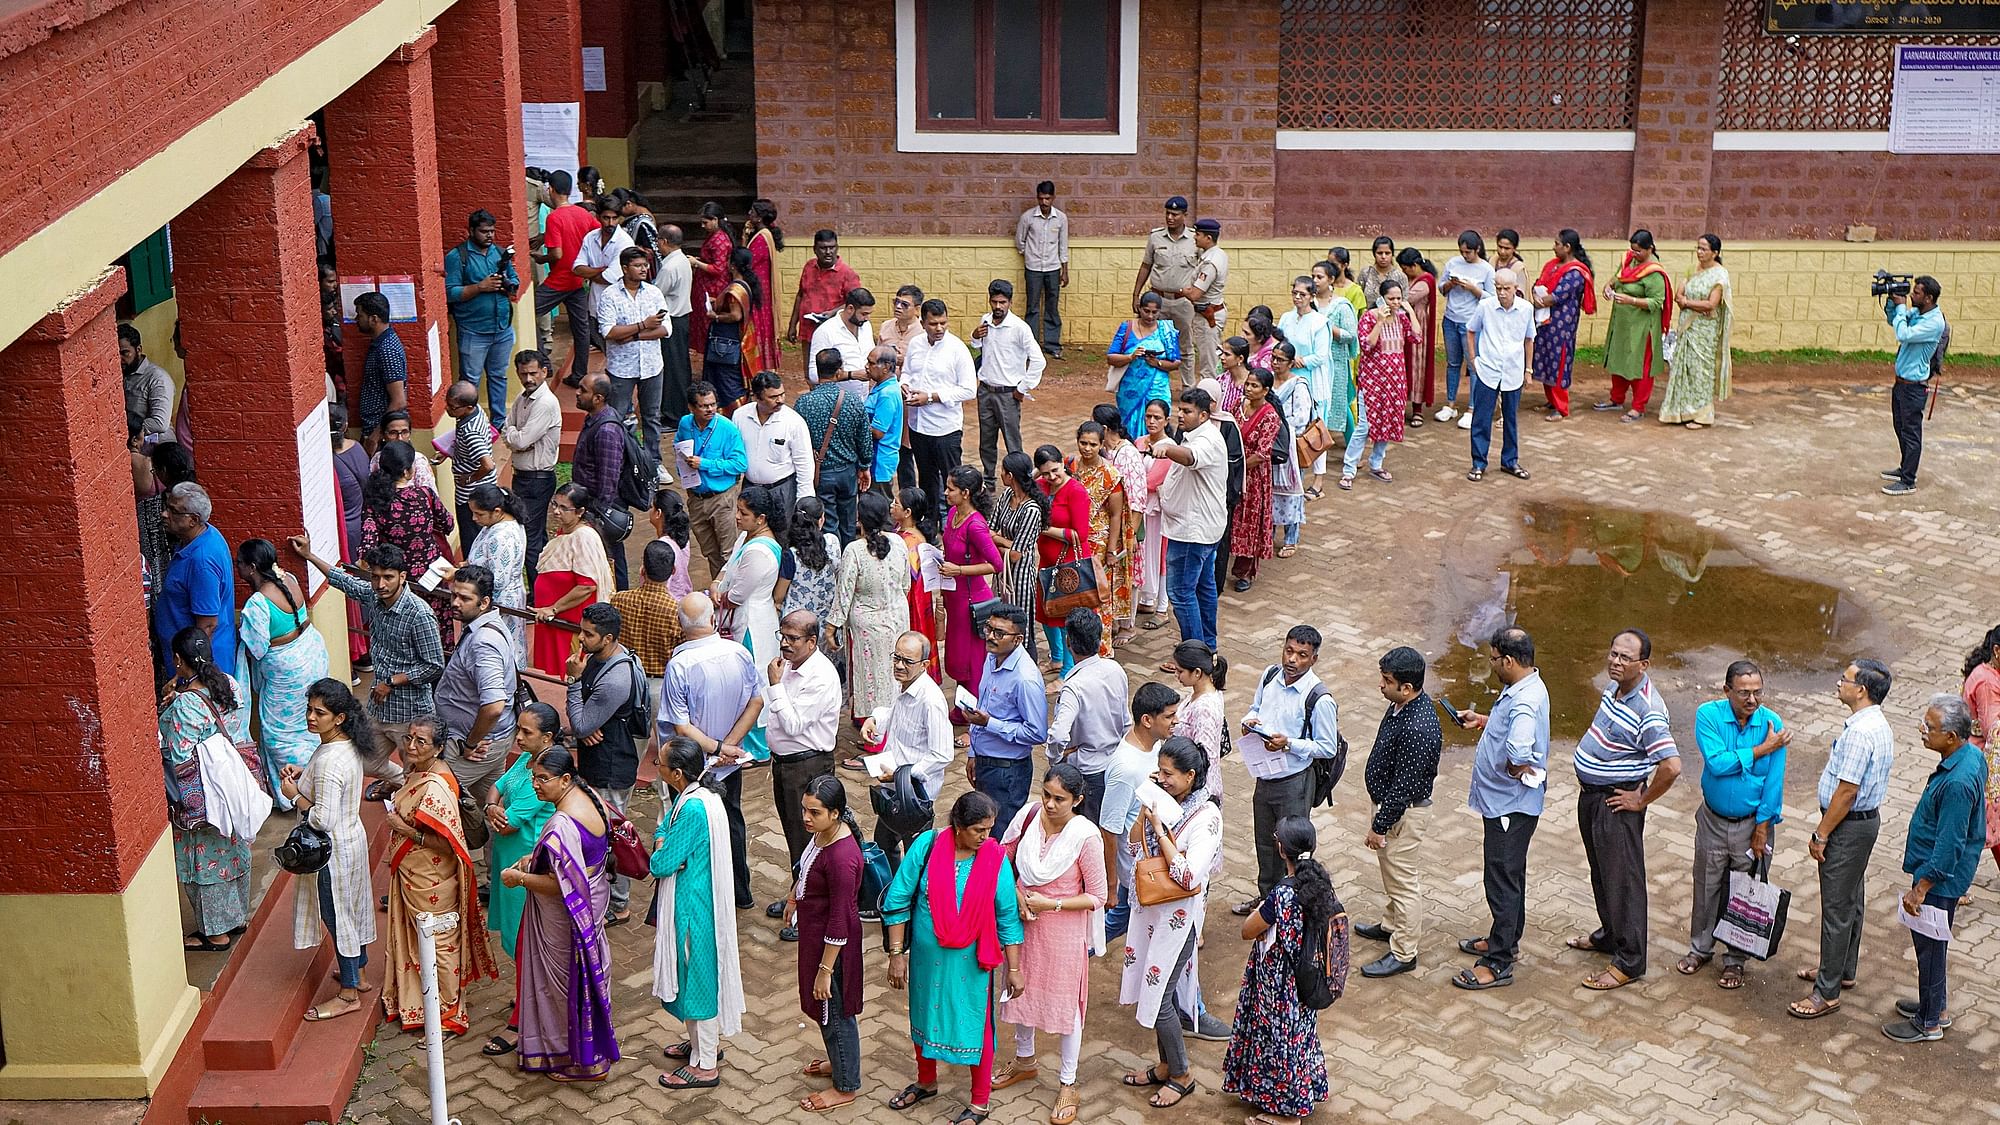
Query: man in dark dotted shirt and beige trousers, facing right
x=1401 y=774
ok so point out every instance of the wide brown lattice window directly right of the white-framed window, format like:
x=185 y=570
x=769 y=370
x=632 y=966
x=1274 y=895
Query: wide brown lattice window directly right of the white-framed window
x=1415 y=65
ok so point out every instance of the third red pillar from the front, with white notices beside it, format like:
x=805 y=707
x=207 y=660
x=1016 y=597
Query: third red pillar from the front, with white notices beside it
x=383 y=153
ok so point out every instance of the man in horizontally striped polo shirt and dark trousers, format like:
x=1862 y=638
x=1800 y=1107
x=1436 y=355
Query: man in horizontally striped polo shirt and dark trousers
x=1625 y=764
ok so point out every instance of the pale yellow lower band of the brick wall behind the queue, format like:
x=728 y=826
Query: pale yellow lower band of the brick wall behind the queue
x=1789 y=295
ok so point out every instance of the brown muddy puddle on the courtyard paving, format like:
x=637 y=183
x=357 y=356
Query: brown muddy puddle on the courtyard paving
x=1581 y=574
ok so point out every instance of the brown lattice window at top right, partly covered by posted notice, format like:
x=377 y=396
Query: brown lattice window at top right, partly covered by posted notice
x=1835 y=83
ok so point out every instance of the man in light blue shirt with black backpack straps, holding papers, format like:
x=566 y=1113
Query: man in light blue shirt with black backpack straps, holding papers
x=1279 y=714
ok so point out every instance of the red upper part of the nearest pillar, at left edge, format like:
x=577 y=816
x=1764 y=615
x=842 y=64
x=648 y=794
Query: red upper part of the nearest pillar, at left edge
x=85 y=796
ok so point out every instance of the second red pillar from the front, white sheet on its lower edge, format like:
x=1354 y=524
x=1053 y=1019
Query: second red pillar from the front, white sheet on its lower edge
x=251 y=321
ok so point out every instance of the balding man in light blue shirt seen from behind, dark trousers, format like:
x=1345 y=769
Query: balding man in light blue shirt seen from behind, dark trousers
x=713 y=694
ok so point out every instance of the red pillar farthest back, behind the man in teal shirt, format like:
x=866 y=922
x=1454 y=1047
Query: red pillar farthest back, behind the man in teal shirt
x=477 y=99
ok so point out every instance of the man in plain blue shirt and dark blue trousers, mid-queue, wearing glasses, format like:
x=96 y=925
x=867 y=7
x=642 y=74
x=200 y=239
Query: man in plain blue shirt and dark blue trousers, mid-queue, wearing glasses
x=1011 y=720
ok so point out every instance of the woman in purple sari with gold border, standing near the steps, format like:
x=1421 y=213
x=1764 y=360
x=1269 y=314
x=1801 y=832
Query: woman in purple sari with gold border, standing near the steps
x=563 y=958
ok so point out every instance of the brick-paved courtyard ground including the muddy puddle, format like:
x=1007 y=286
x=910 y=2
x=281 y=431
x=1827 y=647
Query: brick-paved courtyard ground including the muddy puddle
x=1787 y=551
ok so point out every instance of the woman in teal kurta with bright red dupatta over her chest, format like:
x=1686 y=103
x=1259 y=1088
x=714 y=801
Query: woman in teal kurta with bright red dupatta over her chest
x=947 y=952
